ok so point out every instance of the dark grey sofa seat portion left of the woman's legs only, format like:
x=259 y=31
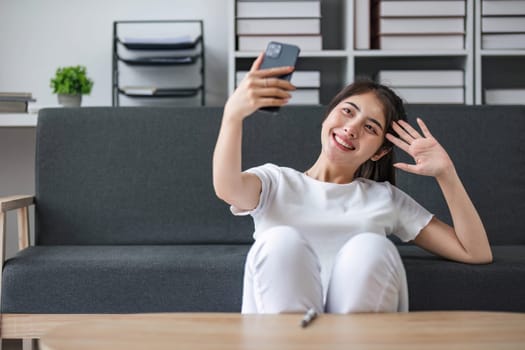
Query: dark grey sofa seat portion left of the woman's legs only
x=124 y=279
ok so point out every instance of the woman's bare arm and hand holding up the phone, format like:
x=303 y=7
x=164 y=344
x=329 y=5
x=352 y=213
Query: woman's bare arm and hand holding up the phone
x=258 y=89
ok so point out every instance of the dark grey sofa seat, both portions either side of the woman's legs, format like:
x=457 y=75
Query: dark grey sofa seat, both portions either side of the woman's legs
x=126 y=279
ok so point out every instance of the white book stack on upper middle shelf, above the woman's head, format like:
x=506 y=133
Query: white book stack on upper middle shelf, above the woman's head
x=418 y=24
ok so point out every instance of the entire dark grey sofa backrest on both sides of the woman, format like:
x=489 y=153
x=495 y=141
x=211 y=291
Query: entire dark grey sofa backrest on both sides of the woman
x=144 y=175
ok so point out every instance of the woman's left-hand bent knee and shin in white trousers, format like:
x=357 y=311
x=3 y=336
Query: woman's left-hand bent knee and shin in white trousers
x=282 y=274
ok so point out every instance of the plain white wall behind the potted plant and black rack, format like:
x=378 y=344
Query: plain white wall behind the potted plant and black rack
x=37 y=36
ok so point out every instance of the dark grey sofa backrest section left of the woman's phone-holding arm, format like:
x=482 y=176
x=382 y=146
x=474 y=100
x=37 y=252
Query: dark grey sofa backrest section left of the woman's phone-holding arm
x=130 y=176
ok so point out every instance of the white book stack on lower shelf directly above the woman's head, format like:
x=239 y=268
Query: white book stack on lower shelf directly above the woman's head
x=425 y=86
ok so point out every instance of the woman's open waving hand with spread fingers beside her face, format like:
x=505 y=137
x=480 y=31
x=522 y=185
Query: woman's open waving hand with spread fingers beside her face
x=430 y=157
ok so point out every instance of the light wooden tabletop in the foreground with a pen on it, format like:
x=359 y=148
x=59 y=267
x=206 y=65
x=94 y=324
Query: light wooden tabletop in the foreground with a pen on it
x=415 y=330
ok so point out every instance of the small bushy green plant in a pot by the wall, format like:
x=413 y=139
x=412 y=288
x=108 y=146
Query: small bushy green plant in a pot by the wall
x=70 y=83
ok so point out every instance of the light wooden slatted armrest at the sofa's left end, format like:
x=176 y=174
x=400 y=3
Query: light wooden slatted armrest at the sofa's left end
x=21 y=204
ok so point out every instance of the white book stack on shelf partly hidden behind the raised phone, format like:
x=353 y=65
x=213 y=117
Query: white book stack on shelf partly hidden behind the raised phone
x=306 y=82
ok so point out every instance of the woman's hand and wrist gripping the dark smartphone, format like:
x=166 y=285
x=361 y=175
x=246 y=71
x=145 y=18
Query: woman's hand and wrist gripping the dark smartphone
x=259 y=88
